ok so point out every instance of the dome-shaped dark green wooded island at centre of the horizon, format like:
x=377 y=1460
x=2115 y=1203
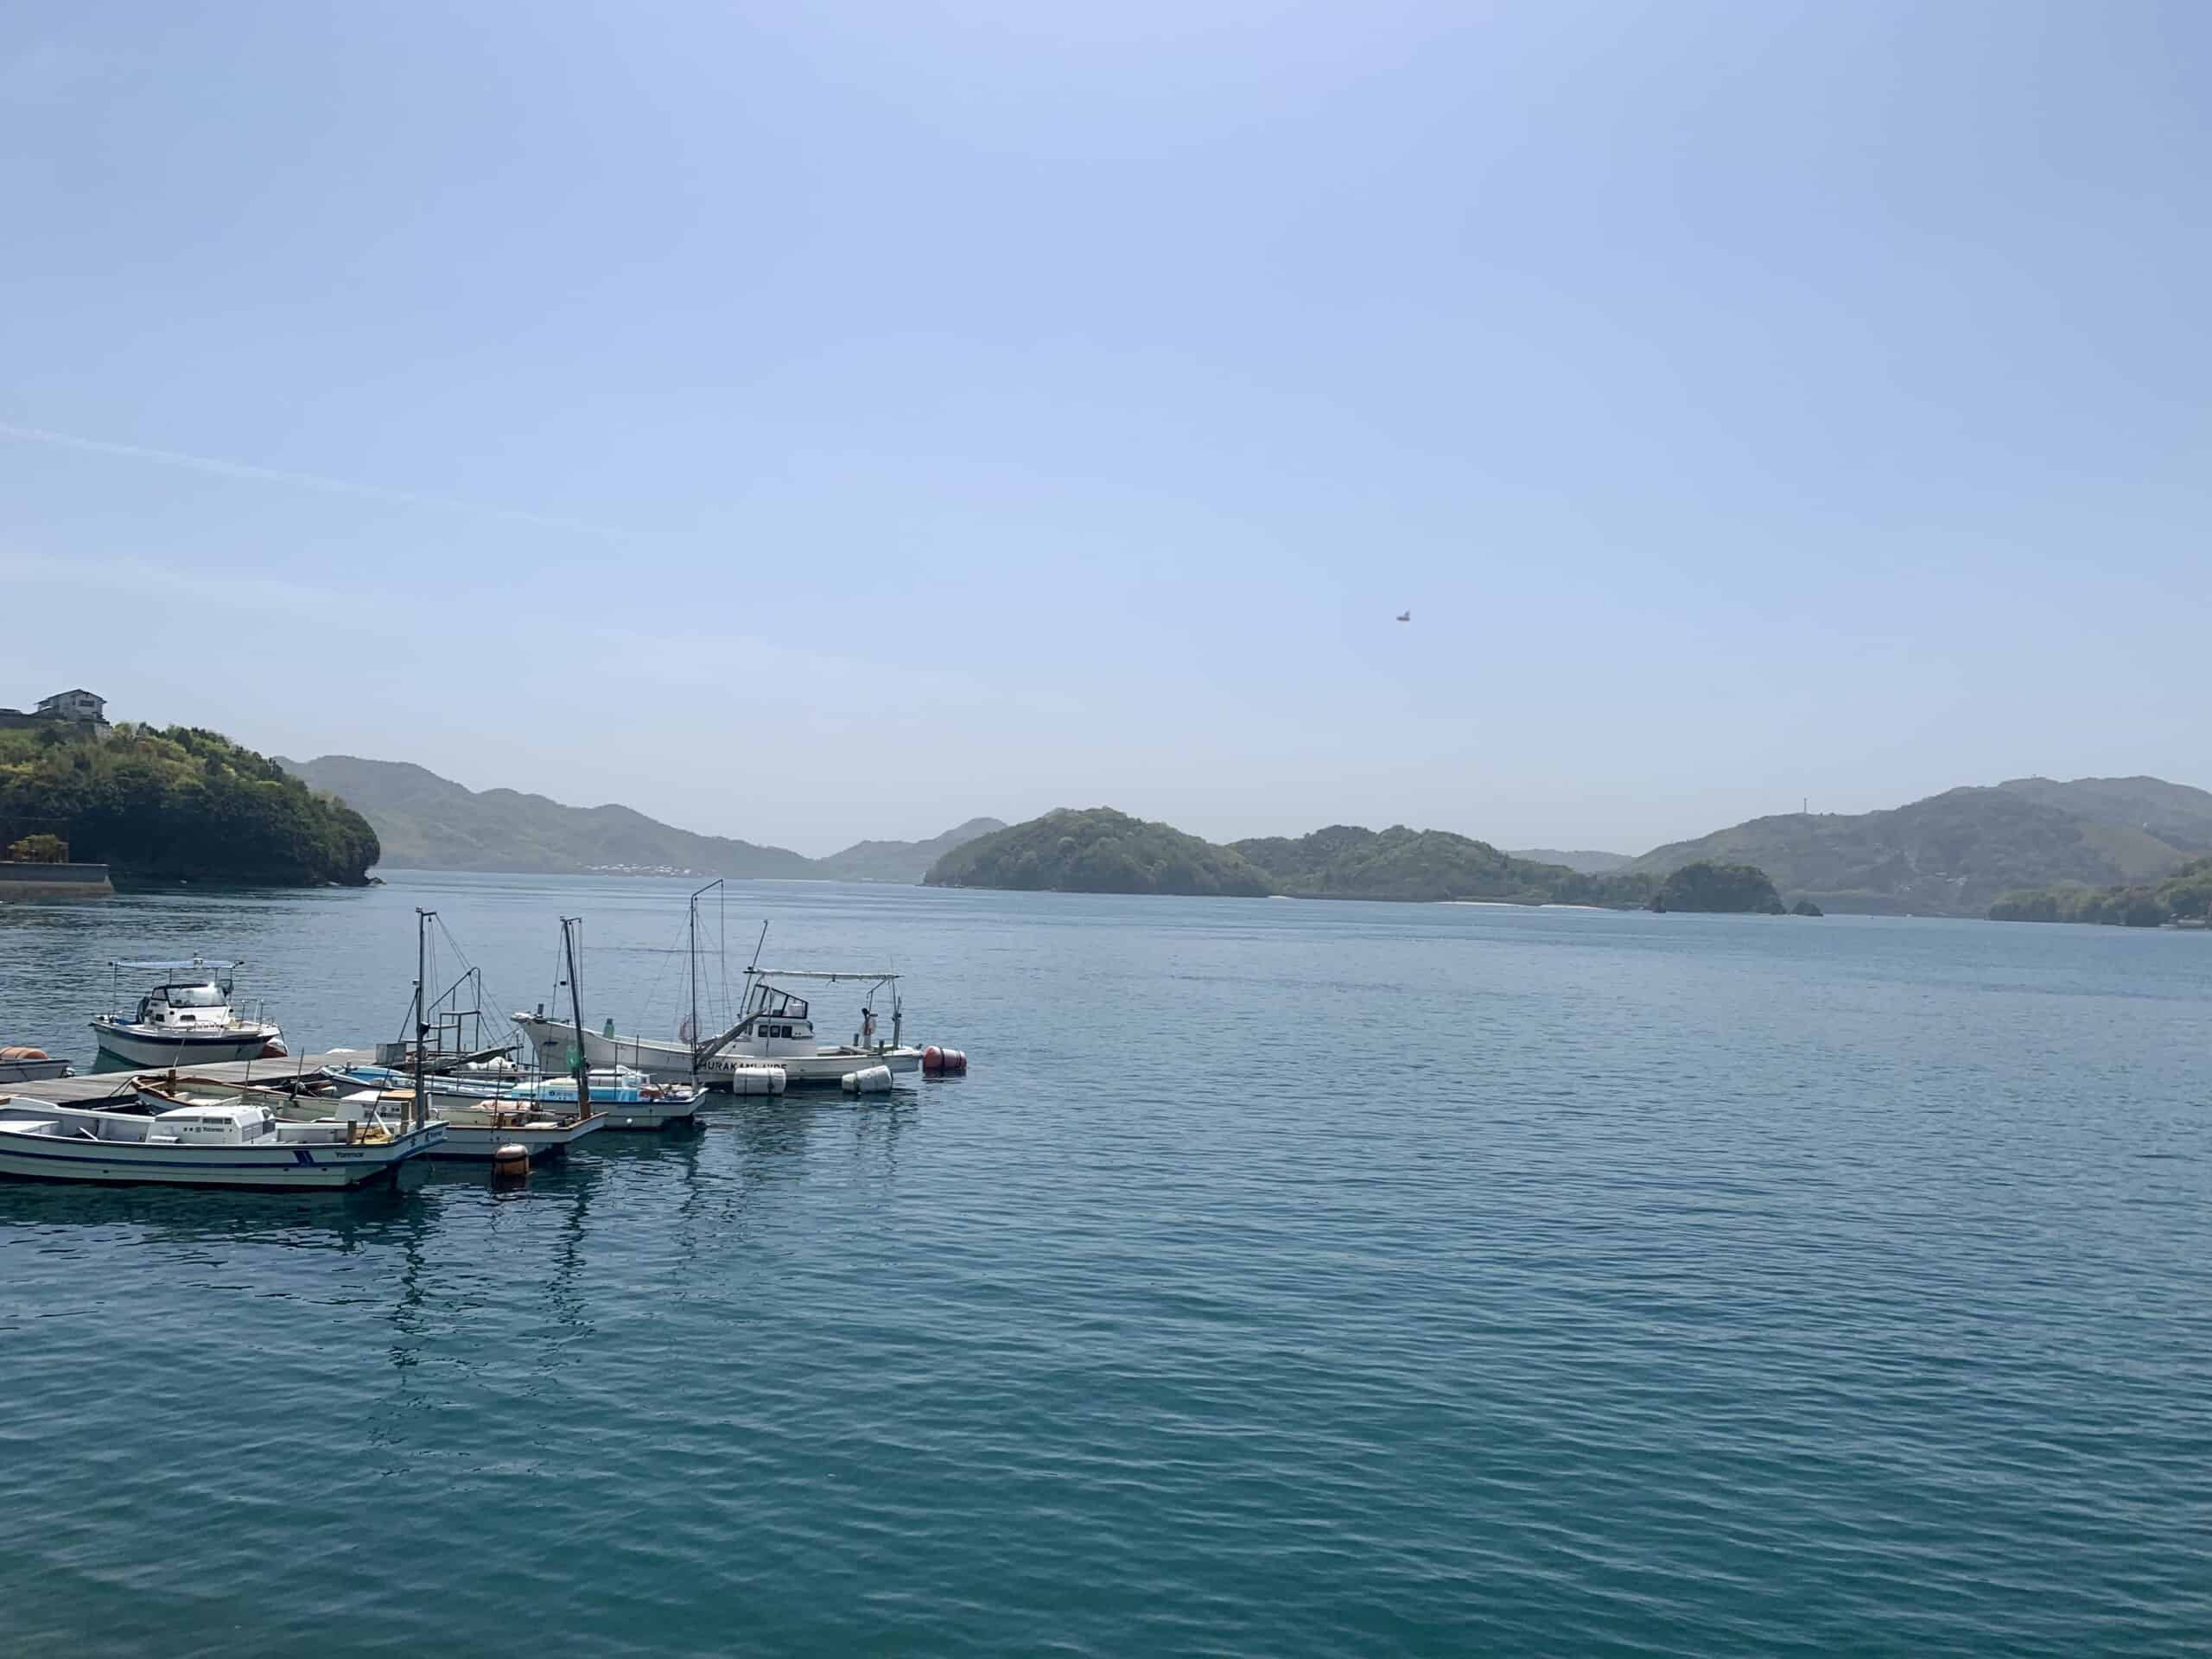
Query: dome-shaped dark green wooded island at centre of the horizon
x=1098 y=853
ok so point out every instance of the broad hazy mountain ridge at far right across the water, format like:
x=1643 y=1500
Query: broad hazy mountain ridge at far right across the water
x=1957 y=853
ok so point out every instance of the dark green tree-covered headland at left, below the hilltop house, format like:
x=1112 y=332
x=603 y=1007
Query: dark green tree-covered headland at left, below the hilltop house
x=180 y=804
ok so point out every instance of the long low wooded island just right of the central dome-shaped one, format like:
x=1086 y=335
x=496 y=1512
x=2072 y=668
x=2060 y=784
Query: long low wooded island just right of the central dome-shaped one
x=1348 y=862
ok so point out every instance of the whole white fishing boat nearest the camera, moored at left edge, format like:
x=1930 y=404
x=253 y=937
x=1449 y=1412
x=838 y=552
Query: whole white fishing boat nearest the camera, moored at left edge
x=229 y=1145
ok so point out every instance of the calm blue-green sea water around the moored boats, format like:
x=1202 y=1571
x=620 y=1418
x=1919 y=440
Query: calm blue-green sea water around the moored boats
x=1286 y=1280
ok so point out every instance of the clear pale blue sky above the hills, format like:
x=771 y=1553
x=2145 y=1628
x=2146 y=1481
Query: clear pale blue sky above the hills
x=811 y=424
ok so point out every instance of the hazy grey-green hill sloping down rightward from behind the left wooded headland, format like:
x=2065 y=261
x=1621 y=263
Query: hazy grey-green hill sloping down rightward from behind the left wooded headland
x=432 y=824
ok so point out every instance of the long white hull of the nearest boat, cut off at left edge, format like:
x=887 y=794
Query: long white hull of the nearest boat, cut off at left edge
x=251 y=1169
